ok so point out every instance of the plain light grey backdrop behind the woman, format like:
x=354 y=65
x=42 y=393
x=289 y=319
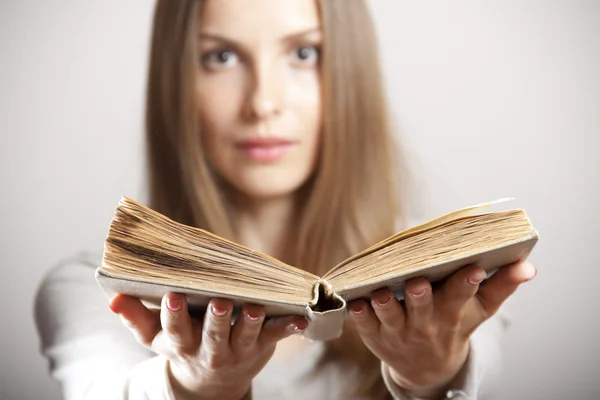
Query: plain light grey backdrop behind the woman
x=491 y=98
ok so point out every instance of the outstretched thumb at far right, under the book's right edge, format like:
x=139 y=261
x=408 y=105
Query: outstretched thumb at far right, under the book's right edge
x=493 y=292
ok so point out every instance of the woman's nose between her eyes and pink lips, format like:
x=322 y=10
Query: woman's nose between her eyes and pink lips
x=267 y=91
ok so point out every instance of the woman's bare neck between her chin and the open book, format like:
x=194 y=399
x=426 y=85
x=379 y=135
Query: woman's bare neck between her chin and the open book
x=265 y=225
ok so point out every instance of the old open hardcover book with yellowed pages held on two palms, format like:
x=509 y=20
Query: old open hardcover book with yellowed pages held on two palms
x=147 y=255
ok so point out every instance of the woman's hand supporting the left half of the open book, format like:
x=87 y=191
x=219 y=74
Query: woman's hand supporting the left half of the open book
x=211 y=358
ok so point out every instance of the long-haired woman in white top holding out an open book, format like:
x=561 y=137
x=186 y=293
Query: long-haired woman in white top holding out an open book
x=266 y=124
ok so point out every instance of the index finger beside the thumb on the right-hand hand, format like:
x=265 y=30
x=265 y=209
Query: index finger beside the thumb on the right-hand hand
x=453 y=296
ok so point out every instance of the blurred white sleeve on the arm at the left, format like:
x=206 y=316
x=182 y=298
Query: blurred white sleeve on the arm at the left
x=90 y=352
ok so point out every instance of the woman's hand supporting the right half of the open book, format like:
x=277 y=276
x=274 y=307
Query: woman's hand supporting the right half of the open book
x=426 y=342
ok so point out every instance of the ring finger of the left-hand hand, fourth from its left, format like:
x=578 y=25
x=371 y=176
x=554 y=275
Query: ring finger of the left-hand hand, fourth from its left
x=247 y=328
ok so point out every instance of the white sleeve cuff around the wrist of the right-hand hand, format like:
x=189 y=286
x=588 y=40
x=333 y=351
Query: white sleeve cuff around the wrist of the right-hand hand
x=477 y=378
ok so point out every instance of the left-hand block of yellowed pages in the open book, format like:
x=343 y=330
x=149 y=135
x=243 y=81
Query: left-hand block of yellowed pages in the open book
x=145 y=246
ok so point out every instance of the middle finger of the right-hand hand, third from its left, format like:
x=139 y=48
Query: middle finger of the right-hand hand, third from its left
x=419 y=306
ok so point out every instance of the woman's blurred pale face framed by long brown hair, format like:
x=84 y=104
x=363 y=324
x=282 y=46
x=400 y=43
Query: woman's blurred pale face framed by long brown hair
x=259 y=92
